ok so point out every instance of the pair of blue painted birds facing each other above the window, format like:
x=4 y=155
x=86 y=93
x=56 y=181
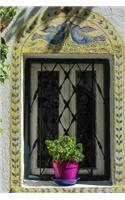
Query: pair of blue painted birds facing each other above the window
x=56 y=34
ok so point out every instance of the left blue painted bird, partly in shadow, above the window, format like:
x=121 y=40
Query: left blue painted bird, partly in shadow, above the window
x=54 y=34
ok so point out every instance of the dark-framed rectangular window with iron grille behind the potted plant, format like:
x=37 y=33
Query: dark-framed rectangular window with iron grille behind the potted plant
x=67 y=96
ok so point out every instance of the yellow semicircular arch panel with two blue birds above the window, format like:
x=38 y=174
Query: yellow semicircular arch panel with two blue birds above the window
x=95 y=29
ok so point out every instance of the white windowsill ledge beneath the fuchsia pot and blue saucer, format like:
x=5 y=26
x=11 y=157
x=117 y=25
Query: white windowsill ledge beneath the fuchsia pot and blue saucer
x=52 y=184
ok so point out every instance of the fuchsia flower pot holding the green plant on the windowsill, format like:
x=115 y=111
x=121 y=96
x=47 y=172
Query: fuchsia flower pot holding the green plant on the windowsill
x=65 y=170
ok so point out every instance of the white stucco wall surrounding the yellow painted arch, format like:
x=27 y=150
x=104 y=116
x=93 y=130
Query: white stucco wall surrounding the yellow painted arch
x=116 y=15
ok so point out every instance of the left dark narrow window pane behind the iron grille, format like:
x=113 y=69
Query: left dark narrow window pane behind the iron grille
x=48 y=109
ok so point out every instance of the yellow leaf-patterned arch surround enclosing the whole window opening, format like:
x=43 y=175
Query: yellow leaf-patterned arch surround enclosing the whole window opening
x=31 y=40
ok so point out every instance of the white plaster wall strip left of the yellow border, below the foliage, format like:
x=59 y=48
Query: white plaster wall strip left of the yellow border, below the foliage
x=4 y=139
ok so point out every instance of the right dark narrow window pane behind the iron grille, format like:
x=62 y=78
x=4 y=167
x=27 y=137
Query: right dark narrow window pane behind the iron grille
x=85 y=103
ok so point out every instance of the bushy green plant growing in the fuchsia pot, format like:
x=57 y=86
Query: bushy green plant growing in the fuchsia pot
x=65 y=149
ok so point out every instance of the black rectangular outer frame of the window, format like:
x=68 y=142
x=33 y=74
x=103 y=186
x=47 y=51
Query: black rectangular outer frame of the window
x=28 y=63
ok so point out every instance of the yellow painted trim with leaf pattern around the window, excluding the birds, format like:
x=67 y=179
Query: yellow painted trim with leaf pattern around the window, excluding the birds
x=116 y=50
